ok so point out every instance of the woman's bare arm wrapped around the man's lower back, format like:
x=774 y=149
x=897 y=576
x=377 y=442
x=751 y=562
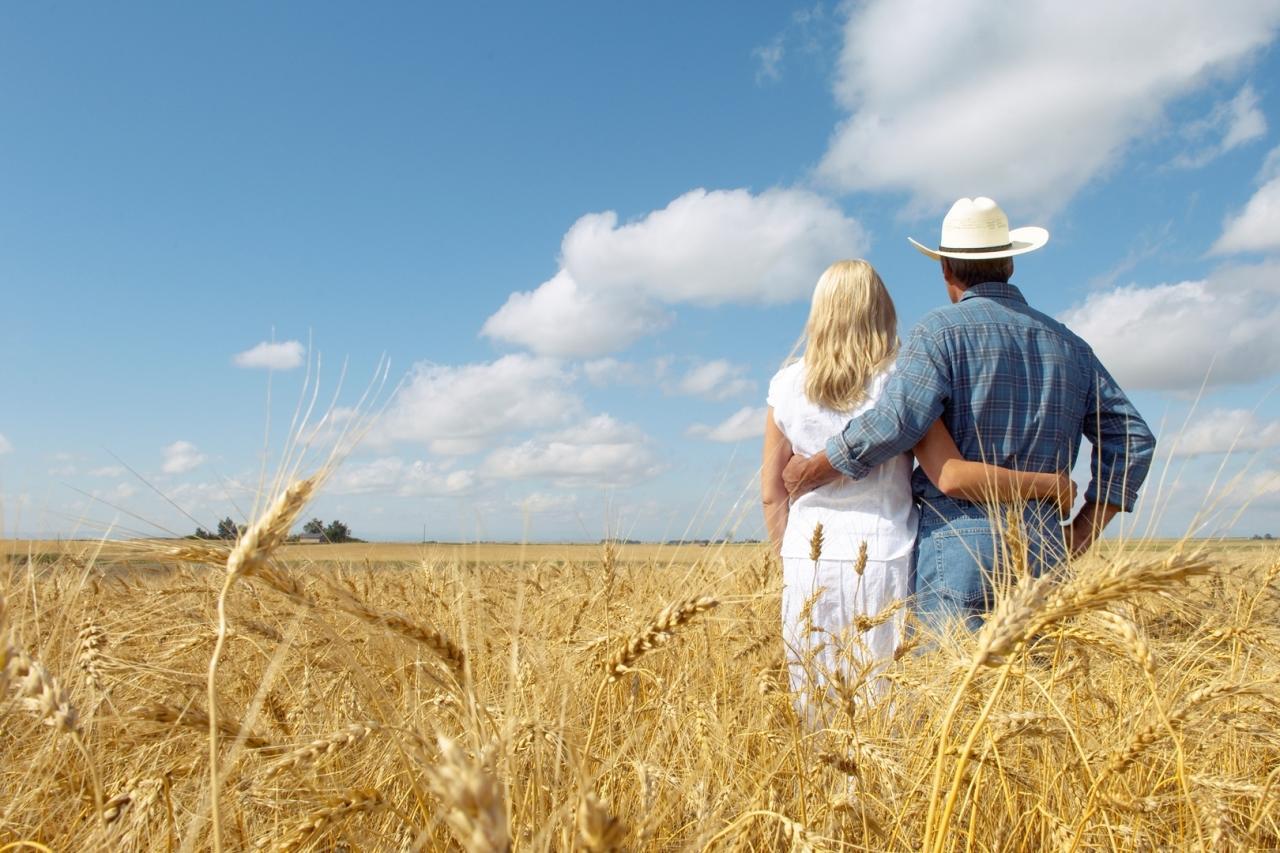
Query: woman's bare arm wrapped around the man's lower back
x=959 y=478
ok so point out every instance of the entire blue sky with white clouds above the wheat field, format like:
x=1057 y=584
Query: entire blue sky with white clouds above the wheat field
x=586 y=235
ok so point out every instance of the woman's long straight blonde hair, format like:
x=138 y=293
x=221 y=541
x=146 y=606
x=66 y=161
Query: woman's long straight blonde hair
x=852 y=332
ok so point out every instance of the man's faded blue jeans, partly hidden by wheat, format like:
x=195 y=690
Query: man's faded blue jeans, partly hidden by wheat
x=961 y=562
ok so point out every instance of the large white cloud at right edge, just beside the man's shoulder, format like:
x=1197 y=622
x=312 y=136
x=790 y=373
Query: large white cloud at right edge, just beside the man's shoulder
x=1176 y=336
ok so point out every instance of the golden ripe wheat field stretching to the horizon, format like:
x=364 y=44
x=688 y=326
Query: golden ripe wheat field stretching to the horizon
x=180 y=696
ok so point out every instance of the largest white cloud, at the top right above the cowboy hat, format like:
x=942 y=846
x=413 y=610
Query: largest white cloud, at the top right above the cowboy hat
x=964 y=98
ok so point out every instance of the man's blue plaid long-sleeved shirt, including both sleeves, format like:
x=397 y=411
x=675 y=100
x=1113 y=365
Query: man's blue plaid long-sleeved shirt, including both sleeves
x=1016 y=389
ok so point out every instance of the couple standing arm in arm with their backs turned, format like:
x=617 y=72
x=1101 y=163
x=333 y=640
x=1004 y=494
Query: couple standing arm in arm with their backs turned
x=991 y=398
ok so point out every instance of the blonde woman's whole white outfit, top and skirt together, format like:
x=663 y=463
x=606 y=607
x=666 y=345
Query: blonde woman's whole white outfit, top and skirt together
x=877 y=510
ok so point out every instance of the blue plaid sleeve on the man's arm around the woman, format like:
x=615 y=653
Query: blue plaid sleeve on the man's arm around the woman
x=913 y=399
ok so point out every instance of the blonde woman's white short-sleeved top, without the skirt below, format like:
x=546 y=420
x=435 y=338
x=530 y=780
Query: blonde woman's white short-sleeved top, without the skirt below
x=877 y=510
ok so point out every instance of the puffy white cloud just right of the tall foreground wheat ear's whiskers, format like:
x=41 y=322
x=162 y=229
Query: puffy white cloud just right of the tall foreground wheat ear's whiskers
x=459 y=410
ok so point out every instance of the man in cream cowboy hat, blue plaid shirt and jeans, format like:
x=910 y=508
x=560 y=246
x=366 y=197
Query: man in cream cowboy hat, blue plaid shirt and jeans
x=1016 y=389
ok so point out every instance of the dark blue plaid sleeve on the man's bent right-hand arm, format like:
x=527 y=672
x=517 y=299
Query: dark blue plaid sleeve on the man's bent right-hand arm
x=1123 y=444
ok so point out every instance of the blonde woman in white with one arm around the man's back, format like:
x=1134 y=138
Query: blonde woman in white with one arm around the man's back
x=862 y=564
